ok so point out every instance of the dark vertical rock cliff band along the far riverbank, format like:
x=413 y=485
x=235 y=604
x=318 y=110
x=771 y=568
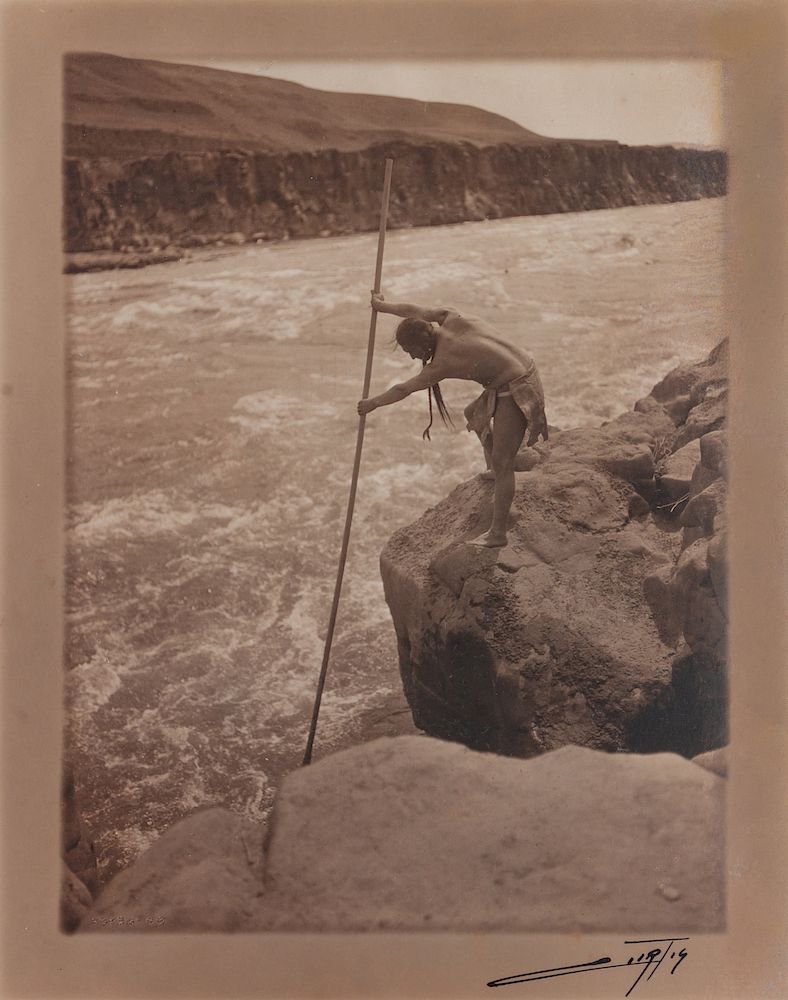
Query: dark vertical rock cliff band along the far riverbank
x=192 y=198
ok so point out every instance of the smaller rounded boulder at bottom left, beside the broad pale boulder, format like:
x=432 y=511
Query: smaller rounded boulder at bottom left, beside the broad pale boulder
x=203 y=874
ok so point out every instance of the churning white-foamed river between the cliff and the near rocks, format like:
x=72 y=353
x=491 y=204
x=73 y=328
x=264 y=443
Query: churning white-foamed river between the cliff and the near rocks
x=212 y=426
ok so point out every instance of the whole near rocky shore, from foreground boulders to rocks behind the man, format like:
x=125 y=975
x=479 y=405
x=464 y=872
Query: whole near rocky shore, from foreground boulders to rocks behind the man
x=583 y=667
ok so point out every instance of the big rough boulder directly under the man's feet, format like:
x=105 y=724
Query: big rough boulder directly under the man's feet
x=545 y=642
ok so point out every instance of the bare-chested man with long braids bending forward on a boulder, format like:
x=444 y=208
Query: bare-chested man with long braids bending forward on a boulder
x=453 y=346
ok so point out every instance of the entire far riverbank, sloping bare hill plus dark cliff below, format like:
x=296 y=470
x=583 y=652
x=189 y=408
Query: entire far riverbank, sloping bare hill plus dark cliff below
x=160 y=156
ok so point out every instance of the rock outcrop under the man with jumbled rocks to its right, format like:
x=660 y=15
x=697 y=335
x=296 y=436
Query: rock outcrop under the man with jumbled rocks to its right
x=603 y=621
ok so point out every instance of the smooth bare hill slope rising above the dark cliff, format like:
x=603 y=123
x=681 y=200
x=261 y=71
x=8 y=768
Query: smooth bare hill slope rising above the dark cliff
x=130 y=108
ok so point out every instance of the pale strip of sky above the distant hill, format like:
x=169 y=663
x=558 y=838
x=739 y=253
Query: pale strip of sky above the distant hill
x=634 y=101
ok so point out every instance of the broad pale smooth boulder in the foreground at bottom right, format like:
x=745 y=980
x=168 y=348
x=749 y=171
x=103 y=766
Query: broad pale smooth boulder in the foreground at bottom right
x=418 y=834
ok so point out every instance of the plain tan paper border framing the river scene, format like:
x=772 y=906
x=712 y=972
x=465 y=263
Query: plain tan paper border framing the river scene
x=749 y=38
